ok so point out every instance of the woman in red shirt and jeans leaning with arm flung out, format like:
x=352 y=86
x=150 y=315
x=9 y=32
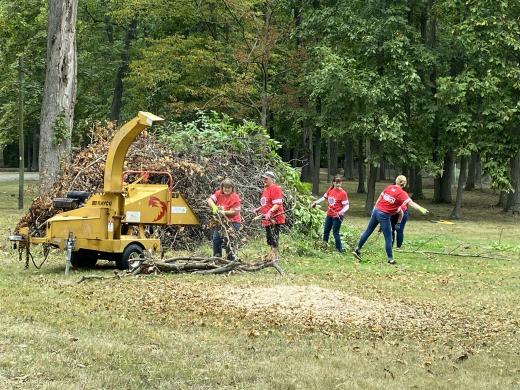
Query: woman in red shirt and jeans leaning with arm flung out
x=390 y=202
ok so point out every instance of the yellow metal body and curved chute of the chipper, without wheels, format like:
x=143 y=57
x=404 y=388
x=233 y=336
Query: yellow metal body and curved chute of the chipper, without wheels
x=98 y=226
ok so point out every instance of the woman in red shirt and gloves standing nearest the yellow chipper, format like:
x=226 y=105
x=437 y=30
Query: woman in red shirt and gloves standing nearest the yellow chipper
x=225 y=202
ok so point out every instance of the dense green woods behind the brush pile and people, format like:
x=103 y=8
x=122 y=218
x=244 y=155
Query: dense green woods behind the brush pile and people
x=361 y=86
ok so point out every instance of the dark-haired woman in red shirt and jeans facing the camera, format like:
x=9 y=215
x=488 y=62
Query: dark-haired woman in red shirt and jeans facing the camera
x=337 y=205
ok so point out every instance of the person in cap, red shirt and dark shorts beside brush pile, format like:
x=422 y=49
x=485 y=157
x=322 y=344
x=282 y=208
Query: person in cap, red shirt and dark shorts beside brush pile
x=271 y=208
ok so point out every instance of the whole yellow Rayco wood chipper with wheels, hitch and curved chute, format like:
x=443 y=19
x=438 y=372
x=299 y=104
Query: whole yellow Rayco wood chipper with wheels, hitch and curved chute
x=112 y=225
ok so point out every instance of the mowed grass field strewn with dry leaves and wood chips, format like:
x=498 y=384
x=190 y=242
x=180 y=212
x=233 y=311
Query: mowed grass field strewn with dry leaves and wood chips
x=433 y=321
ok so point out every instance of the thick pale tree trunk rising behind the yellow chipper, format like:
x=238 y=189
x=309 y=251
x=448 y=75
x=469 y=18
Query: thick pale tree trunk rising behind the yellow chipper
x=59 y=96
